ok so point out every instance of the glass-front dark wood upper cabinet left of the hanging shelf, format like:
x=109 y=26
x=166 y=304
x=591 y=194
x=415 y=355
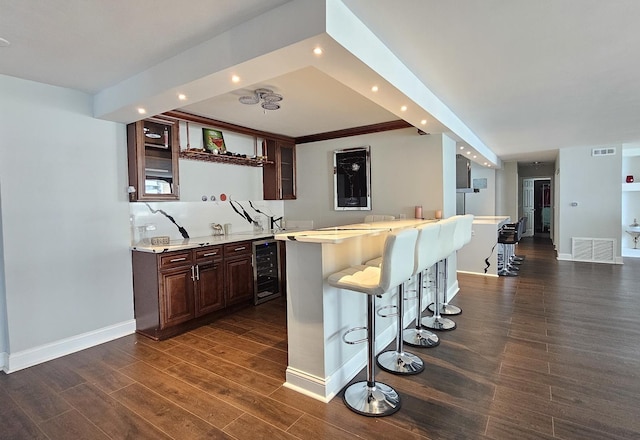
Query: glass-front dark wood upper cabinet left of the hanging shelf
x=153 y=150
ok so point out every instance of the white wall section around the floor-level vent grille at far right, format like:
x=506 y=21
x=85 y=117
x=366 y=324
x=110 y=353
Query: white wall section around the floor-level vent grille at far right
x=594 y=184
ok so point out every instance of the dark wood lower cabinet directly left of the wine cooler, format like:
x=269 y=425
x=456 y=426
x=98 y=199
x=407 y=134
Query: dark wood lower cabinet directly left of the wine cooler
x=238 y=263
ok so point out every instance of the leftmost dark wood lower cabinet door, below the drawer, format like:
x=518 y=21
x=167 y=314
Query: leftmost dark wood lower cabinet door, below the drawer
x=176 y=296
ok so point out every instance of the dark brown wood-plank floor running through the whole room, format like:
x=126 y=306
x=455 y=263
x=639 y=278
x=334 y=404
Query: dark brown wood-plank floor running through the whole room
x=553 y=353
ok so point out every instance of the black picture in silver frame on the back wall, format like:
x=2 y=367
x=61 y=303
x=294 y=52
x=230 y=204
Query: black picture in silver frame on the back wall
x=352 y=179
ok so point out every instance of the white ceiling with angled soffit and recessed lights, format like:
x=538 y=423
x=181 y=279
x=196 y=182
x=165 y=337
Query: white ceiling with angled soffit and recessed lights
x=519 y=78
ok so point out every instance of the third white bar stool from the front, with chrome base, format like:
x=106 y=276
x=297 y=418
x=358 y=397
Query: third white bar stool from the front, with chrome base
x=426 y=256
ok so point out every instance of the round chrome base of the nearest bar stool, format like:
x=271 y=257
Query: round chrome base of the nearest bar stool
x=374 y=401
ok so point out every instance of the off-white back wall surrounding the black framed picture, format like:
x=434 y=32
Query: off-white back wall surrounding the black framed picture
x=406 y=171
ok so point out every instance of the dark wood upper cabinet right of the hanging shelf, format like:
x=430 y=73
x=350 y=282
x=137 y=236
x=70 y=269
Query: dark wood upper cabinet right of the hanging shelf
x=279 y=174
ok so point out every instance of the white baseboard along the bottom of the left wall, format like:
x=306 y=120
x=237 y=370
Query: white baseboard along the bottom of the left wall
x=37 y=355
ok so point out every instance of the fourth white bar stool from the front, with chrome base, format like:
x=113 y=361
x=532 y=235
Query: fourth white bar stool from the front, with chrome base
x=445 y=248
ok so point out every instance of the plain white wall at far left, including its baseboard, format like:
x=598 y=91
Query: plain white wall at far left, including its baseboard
x=65 y=222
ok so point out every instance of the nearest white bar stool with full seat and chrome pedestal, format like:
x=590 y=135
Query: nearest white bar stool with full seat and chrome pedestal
x=369 y=397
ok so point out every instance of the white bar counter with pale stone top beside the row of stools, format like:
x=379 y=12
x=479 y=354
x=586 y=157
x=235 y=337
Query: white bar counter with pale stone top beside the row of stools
x=320 y=363
